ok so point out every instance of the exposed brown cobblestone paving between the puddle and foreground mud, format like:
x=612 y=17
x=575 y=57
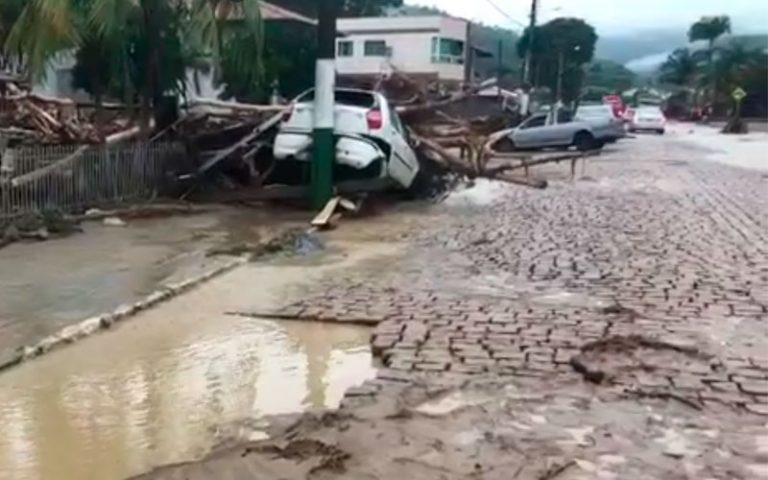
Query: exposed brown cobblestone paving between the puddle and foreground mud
x=649 y=274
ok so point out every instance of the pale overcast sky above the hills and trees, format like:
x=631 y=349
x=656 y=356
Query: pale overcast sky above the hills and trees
x=613 y=16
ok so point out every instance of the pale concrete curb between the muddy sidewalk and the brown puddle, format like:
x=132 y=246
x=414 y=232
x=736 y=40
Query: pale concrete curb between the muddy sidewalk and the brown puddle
x=88 y=327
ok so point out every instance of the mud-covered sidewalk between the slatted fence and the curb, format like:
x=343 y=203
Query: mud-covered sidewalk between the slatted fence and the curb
x=47 y=286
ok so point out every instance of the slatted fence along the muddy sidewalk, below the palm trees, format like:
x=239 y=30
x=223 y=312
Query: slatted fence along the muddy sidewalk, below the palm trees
x=34 y=179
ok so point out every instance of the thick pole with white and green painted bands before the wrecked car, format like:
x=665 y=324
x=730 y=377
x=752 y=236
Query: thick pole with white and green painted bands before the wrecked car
x=324 y=149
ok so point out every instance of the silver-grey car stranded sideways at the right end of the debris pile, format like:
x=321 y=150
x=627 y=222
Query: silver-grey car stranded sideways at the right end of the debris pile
x=559 y=129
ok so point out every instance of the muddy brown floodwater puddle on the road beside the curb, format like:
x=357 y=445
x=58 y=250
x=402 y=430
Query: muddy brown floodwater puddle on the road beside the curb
x=179 y=379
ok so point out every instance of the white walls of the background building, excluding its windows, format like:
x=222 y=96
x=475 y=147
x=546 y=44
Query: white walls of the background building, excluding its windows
x=410 y=39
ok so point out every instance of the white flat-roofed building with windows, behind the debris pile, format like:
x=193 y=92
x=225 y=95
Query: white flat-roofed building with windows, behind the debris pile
x=431 y=46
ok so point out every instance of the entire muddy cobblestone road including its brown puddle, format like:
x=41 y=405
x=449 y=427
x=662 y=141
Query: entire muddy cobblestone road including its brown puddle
x=610 y=327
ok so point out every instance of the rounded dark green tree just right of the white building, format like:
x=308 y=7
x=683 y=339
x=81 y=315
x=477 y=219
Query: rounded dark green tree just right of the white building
x=560 y=48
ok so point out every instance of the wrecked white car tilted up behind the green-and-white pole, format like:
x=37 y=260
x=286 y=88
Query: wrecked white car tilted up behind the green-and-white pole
x=370 y=138
